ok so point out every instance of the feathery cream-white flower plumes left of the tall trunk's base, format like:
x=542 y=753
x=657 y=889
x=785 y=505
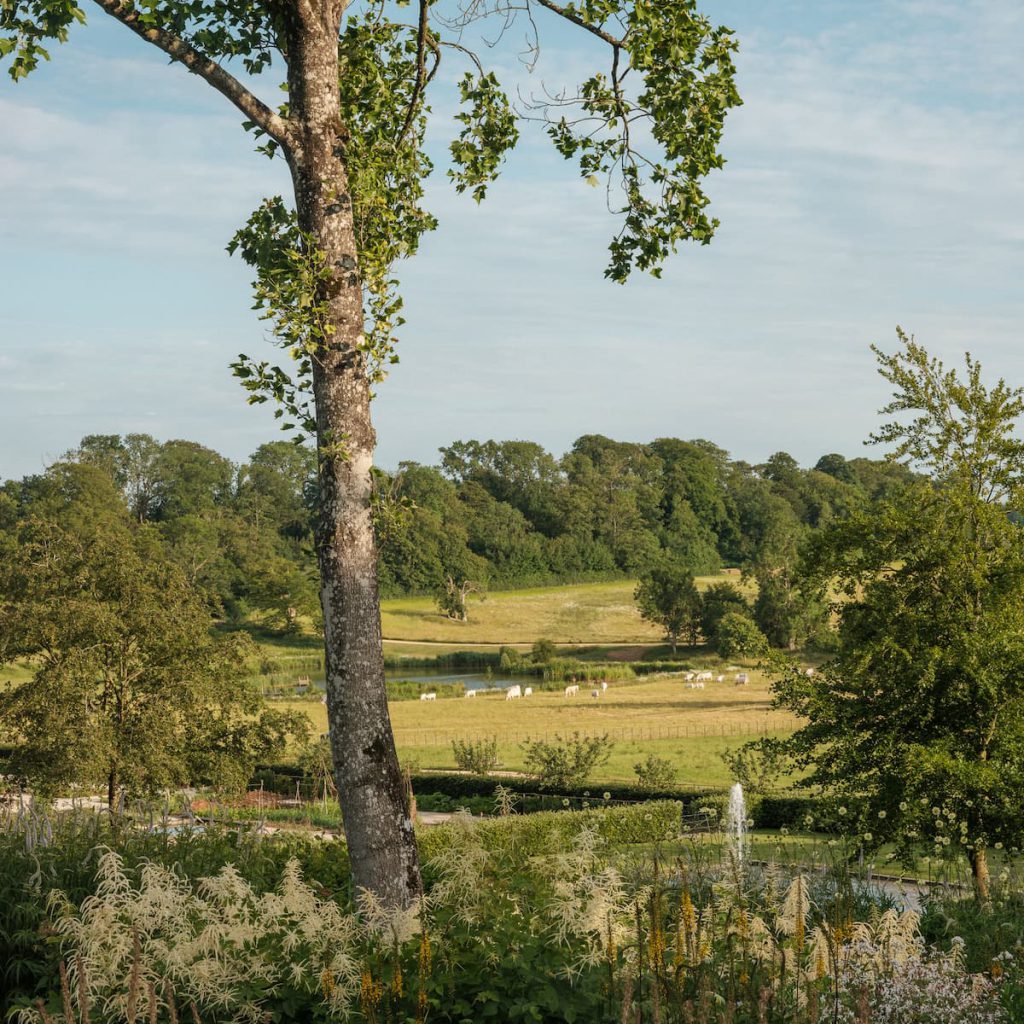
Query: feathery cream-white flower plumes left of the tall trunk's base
x=216 y=945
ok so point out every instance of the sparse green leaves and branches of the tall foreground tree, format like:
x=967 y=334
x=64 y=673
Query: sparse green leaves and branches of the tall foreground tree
x=649 y=124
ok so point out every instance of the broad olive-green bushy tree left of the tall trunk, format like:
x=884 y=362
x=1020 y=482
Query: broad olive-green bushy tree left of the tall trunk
x=132 y=692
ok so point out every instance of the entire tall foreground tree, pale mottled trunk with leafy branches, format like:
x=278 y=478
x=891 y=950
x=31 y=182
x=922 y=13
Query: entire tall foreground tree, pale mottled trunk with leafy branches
x=352 y=130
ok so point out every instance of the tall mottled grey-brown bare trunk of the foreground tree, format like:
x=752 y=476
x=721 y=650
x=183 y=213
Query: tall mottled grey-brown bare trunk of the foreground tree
x=378 y=829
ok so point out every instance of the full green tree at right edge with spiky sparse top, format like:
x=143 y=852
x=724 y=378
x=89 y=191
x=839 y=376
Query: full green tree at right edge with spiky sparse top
x=920 y=714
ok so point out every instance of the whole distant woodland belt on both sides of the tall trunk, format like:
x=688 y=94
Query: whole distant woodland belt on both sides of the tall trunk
x=500 y=514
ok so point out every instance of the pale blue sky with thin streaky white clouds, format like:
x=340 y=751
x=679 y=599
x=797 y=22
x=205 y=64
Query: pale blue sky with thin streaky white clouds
x=875 y=177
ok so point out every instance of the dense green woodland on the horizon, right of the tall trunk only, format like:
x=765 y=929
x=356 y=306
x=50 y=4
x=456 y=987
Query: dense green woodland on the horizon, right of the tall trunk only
x=513 y=515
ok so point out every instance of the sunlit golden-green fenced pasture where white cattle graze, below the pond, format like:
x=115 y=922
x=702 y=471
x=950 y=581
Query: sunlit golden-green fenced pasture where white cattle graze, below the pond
x=692 y=729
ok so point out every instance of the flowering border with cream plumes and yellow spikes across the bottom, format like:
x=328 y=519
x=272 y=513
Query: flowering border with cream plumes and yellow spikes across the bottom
x=582 y=933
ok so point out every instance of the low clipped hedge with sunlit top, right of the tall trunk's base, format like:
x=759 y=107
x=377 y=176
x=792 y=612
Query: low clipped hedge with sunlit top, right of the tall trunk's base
x=554 y=832
